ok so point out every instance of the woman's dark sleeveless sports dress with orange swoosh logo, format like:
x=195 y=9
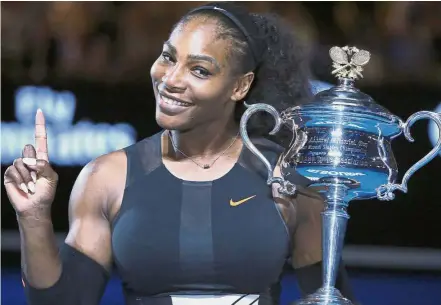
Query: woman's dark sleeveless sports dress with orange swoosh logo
x=225 y=236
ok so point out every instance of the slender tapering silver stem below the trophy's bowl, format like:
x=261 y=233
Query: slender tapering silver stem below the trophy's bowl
x=334 y=222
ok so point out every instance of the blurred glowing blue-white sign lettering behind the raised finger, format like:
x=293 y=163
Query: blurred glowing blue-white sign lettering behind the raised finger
x=69 y=144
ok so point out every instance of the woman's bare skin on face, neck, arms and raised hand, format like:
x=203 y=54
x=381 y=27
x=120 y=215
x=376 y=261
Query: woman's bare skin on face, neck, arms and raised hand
x=193 y=67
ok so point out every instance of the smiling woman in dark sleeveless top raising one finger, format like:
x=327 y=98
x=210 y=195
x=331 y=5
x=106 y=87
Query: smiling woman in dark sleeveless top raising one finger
x=185 y=215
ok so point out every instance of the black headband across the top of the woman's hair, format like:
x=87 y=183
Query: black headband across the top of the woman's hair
x=246 y=26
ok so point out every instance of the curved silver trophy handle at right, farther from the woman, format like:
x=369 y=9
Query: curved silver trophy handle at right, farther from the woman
x=385 y=191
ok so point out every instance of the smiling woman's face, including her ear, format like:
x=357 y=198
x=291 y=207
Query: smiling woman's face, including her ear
x=193 y=80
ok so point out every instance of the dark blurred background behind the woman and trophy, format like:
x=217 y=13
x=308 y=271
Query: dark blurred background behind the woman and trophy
x=87 y=65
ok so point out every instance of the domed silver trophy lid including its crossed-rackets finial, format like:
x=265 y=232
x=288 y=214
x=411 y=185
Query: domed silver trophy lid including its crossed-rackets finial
x=345 y=100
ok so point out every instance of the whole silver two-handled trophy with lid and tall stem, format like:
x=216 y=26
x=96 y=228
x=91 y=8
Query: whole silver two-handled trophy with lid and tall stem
x=342 y=143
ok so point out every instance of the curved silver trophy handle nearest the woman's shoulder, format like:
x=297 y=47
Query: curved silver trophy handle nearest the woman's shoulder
x=286 y=187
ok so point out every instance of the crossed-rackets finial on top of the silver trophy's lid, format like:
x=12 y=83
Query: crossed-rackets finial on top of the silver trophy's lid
x=345 y=67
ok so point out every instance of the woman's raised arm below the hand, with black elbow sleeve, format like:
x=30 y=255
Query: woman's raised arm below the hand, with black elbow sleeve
x=76 y=273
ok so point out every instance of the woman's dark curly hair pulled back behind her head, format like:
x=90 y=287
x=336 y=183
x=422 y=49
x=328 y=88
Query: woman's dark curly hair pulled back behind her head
x=282 y=71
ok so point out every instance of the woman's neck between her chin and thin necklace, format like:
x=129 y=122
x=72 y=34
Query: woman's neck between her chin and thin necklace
x=204 y=141
